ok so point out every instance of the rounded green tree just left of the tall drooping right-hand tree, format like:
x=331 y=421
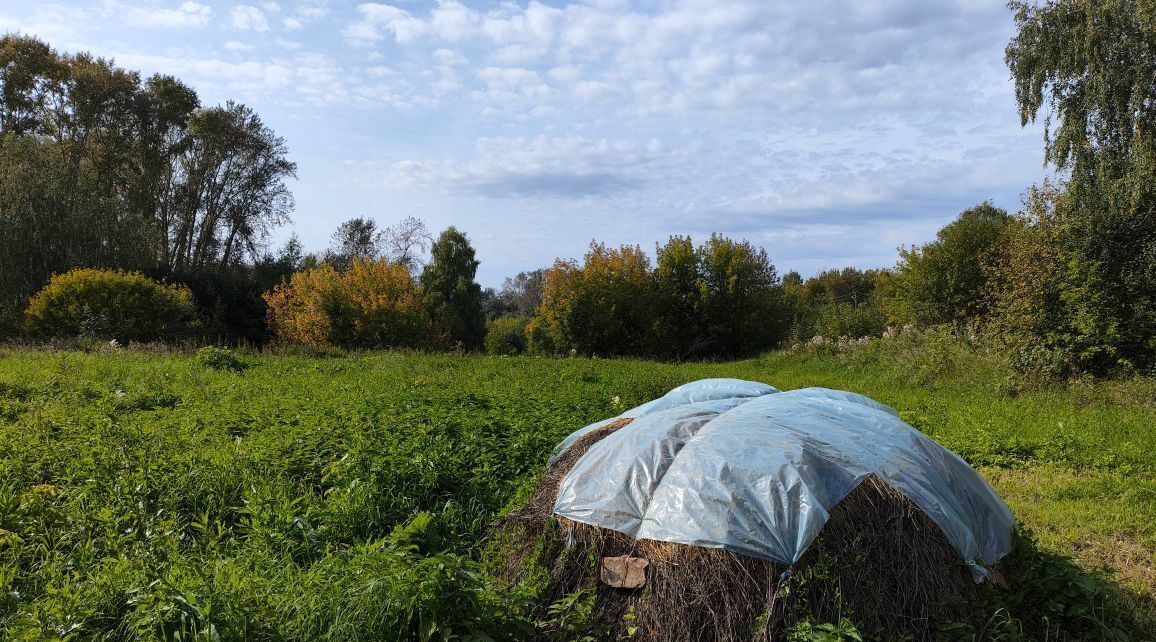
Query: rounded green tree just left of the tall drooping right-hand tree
x=944 y=282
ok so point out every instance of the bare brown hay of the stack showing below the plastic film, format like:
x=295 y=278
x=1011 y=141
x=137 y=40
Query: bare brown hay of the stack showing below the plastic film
x=879 y=562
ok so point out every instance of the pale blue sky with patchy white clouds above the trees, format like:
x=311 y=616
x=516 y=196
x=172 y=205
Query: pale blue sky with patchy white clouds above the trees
x=829 y=134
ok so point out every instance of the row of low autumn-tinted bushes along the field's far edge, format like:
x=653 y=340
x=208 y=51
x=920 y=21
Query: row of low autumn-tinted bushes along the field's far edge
x=1006 y=278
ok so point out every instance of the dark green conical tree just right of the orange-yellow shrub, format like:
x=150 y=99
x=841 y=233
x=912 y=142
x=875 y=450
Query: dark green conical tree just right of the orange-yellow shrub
x=455 y=297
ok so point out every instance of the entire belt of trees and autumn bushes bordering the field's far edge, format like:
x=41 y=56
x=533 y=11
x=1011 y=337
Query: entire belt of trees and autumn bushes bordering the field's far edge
x=101 y=169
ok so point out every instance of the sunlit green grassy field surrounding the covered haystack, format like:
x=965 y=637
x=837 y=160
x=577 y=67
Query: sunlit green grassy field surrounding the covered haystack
x=149 y=496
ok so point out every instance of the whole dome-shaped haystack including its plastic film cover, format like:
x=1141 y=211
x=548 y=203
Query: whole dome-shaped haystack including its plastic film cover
x=730 y=511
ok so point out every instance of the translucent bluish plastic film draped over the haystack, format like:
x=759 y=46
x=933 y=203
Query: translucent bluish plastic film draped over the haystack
x=739 y=466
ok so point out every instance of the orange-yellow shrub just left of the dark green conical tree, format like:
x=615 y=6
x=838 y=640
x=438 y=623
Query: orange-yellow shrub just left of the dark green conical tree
x=375 y=304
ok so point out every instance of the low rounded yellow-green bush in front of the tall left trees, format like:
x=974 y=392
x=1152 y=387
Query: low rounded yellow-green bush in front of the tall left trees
x=106 y=304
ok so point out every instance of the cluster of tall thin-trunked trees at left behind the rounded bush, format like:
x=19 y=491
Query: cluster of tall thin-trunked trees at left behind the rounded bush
x=101 y=168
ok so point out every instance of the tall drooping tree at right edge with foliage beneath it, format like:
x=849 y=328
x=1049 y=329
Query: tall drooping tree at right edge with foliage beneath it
x=1088 y=67
